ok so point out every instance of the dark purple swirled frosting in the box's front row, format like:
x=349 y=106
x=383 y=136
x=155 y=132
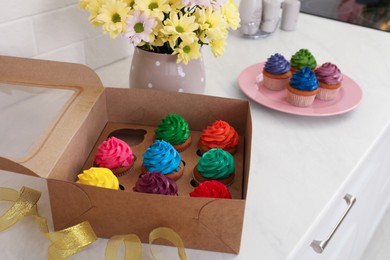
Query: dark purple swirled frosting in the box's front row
x=156 y=183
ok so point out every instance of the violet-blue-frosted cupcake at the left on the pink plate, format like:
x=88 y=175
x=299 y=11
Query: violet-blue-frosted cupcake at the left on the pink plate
x=276 y=72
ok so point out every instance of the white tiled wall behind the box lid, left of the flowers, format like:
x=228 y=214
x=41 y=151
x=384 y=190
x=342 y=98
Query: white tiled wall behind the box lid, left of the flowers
x=56 y=30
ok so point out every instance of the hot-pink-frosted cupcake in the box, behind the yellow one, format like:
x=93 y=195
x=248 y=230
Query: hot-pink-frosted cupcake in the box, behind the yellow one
x=115 y=155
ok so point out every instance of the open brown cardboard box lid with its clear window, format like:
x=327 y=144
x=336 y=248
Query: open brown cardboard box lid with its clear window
x=37 y=97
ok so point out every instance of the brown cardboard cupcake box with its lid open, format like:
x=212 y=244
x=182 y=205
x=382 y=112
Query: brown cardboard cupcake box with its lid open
x=88 y=115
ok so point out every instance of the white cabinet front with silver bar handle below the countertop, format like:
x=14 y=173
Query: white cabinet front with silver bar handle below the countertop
x=369 y=183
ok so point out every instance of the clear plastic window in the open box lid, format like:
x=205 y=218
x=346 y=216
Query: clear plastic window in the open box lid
x=26 y=114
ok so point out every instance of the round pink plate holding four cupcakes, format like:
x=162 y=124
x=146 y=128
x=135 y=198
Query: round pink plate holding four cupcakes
x=250 y=81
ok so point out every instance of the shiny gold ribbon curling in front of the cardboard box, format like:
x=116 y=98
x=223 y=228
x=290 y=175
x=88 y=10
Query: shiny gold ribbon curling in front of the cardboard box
x=69 y=241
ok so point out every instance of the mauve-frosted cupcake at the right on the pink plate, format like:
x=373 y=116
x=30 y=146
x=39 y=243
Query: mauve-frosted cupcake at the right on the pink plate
x=329 y=78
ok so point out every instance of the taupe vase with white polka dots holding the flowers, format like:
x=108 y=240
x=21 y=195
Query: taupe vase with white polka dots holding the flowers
x=152 y=70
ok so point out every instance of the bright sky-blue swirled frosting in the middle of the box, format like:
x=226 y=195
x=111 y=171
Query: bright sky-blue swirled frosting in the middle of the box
x=161 y=157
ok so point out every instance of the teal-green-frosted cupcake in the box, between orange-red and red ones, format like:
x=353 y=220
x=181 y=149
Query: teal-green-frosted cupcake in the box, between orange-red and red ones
x=215 y=164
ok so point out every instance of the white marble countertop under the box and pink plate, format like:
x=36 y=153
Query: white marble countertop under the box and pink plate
x=297 y=162
